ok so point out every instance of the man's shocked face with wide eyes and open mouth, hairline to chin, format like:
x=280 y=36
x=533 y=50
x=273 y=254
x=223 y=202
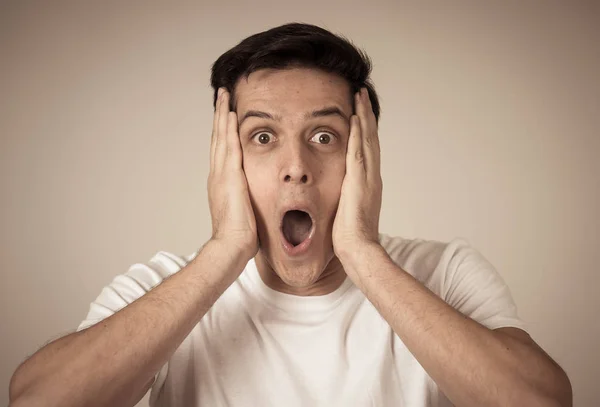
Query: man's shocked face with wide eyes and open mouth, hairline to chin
x=294 y=127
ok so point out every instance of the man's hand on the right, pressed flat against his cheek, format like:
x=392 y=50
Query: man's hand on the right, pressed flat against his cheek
x=357 y=219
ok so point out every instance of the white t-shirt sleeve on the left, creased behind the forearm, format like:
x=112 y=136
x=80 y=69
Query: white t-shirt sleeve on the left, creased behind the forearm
x=126 y=288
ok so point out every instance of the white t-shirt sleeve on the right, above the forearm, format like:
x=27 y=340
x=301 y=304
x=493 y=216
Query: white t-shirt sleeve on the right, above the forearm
x=472 y=285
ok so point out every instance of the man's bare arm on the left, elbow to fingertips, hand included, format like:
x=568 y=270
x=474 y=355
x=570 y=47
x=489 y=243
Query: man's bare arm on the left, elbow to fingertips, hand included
x=83 y=369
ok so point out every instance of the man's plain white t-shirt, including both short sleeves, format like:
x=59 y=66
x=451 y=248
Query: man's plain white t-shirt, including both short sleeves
x=260 y=347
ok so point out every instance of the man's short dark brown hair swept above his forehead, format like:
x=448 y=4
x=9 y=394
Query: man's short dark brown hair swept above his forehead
x=295 y=45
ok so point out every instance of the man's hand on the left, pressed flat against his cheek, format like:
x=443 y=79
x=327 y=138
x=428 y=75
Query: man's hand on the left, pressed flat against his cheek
x=233 y=221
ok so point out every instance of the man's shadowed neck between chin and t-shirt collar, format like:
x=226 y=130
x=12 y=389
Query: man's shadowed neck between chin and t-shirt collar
x=330 y=280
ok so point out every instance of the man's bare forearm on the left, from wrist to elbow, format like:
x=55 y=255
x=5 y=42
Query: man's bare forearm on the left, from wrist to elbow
x=110 y=362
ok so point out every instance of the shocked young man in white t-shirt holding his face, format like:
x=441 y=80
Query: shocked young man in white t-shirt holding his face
x=297 y=300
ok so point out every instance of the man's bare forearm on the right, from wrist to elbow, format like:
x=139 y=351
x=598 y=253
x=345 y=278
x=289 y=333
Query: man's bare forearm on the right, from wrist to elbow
x=471 y=364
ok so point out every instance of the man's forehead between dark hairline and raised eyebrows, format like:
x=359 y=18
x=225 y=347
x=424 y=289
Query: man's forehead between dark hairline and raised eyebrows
x=292 y=91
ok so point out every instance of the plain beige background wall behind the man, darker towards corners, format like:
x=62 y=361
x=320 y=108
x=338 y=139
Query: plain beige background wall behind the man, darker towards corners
x=490 y=130
